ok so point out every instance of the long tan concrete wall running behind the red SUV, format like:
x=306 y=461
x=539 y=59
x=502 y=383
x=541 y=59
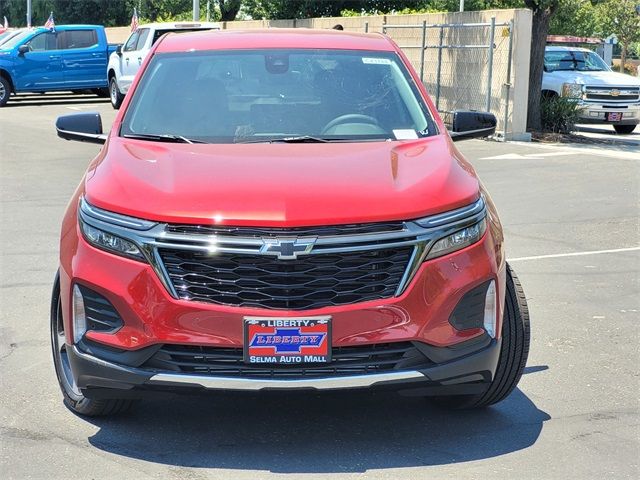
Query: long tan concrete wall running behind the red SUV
x=464 y=72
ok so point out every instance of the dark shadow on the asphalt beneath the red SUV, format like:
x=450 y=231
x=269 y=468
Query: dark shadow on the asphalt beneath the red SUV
x=316 y=433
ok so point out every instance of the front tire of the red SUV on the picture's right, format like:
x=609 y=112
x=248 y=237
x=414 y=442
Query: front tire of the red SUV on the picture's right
x=513 y=352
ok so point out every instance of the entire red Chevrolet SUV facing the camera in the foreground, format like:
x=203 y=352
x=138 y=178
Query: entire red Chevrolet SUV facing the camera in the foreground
x=282 y=210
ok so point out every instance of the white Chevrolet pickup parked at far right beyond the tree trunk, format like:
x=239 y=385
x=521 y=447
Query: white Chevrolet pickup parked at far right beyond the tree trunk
x=604 y=96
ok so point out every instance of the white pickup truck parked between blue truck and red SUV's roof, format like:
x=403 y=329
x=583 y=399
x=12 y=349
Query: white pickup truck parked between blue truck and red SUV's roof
x=125 y=62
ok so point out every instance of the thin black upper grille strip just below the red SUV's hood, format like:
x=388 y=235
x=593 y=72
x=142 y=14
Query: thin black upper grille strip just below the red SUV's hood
x=257 y=232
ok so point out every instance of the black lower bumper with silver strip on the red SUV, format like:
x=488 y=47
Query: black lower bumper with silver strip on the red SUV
x=470 y=372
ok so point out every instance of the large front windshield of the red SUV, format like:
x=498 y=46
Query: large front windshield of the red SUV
x=268 y=95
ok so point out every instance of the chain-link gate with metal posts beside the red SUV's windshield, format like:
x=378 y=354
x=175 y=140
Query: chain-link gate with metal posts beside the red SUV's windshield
x=464 y=66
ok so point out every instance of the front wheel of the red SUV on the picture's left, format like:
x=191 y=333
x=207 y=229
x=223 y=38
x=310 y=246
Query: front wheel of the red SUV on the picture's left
x=73 y=397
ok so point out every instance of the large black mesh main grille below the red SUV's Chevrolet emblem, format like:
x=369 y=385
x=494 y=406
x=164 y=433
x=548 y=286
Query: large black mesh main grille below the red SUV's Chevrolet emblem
x=310 y=281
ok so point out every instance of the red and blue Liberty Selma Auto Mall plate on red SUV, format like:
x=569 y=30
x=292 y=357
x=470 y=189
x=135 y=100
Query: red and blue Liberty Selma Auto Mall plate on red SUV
x=271 y=341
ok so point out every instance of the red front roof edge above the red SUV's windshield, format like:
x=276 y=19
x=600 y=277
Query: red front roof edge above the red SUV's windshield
x=274 y=38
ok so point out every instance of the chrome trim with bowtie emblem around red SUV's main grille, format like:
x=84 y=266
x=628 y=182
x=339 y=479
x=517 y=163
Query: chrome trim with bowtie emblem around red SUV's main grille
x=151 y=237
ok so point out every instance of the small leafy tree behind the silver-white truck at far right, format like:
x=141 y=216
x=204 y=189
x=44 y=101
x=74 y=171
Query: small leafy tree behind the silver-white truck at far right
x=620 y=17
